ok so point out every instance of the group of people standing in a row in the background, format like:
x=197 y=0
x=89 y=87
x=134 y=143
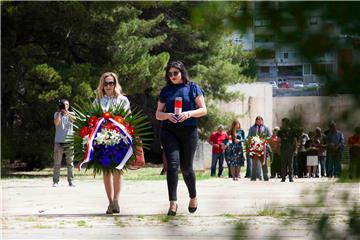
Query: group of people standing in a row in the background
x=291 y=151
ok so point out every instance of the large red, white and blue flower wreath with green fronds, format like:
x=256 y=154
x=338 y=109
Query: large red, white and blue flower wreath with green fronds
x=109 y=140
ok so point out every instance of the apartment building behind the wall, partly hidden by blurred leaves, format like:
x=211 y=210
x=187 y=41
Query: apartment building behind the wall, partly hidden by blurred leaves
x=281 y=61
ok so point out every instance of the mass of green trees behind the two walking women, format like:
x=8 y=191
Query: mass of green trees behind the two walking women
x=54 y=50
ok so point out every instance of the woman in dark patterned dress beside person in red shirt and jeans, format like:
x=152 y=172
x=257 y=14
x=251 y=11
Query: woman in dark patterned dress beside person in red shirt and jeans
x=234 y=149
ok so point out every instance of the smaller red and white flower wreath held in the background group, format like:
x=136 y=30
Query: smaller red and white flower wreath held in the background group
x=256 y=147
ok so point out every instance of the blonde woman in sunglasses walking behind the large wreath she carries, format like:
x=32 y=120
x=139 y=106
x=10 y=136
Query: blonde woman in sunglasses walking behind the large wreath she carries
x=109 y=93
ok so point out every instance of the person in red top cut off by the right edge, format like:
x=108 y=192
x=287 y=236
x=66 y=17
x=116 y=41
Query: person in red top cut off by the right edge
x=354 y=144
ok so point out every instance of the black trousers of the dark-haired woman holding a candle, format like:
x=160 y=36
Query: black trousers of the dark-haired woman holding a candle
x=180 y=144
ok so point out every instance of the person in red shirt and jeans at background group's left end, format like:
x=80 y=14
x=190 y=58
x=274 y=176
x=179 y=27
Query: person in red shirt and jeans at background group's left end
x=217 y=141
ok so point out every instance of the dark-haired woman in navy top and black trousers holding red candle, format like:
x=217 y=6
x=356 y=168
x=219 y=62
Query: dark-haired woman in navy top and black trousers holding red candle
x=181 y=102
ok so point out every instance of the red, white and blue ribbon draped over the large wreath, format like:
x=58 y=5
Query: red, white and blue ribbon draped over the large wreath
x=90 y=145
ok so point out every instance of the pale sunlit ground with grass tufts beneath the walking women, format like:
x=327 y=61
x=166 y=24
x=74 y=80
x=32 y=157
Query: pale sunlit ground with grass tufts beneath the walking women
x=33 y=209
